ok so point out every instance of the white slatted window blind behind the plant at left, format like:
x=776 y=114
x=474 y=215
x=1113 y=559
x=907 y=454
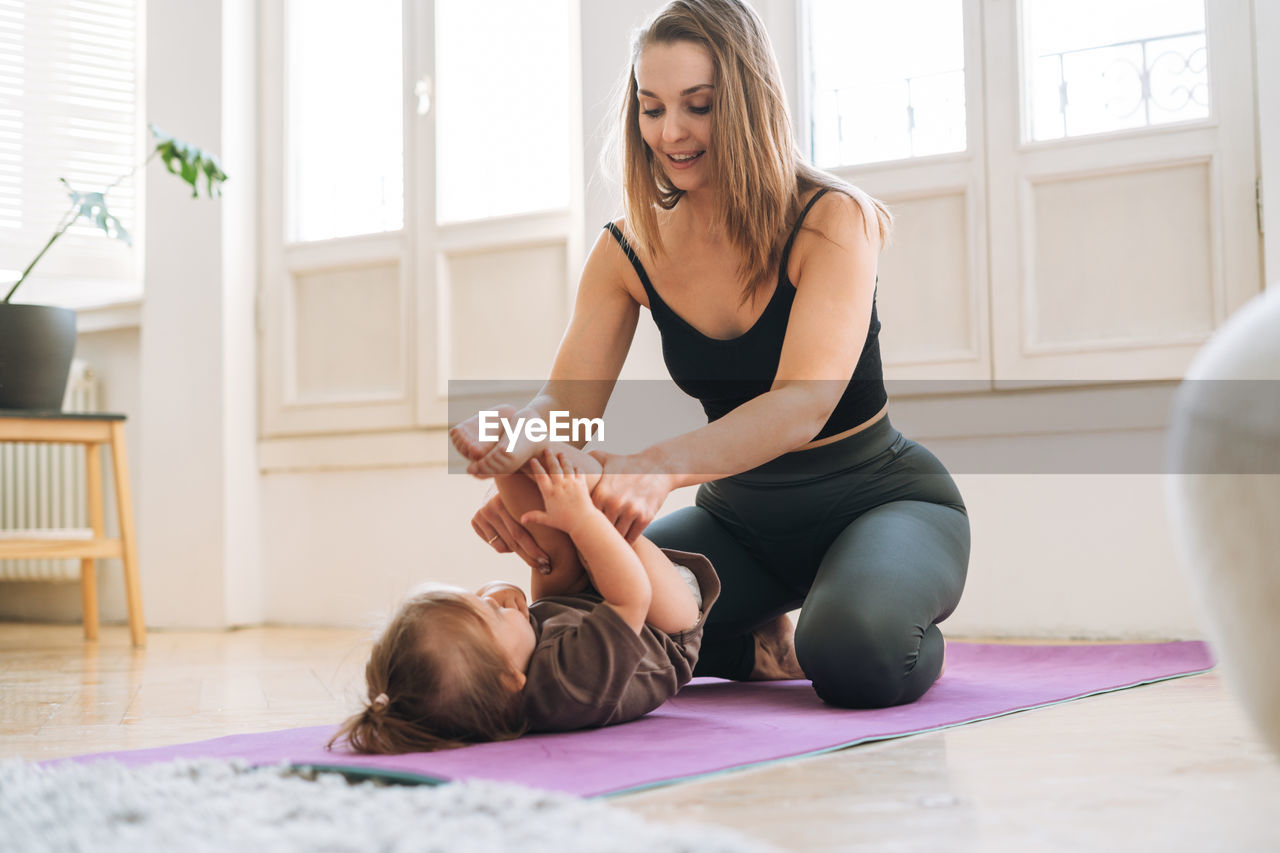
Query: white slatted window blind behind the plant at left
x=68 y=99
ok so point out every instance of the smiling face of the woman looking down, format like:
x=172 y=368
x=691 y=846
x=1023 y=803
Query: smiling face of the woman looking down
x=676 y=90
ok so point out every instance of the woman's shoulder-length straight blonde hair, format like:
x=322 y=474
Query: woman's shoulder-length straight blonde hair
x=757 y=171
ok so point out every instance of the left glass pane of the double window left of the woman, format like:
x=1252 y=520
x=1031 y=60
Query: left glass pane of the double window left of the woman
x=345 y=134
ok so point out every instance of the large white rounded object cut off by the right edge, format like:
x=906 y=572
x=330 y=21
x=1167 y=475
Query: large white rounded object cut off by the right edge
x=1224 y=499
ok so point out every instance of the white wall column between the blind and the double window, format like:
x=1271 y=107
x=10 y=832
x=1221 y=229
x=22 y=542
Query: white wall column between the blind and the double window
x=199 y=541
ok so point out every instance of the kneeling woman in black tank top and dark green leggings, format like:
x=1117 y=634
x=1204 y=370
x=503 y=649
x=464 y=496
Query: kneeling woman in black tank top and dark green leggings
x=760 y=272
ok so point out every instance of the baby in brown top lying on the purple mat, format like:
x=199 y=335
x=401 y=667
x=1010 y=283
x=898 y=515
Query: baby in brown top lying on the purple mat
x=596 y=647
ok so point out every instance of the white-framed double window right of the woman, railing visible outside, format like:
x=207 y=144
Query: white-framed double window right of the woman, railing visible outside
x=1020 y=257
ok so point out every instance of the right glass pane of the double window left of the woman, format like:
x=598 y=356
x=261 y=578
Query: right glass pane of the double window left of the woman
x=502 y=101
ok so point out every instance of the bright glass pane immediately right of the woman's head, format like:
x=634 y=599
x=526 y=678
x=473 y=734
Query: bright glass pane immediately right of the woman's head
x=888 y=80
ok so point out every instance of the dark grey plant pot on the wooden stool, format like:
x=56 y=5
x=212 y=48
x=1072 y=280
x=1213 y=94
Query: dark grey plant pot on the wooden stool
x=36 y=348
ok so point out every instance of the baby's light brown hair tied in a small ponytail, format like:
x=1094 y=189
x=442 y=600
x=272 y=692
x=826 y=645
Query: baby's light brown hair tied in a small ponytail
x=437 y=679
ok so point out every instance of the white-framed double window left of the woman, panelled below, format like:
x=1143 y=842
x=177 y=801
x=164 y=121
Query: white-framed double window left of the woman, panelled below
x=418 y=198
